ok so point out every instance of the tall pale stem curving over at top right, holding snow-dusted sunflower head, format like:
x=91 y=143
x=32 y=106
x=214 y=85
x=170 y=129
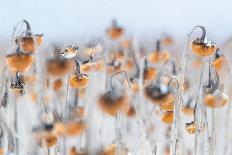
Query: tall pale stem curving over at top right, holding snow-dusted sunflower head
x=175 y=145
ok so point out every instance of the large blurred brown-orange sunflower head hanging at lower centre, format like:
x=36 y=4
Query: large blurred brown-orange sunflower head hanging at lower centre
x=111 y=104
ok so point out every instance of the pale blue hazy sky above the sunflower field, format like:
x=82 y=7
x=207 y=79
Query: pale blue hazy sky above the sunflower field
x=69 y=20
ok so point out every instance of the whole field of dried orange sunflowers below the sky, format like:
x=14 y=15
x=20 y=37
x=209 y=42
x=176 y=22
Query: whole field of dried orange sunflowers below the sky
x=115 y=96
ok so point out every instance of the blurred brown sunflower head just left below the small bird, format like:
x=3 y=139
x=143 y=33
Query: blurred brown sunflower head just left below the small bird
x=59 y=67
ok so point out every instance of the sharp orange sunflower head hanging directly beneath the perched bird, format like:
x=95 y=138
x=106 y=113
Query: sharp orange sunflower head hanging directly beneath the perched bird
x=79 y=81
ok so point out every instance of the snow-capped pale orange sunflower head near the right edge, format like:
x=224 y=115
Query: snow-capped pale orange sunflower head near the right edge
x=217 y=99
